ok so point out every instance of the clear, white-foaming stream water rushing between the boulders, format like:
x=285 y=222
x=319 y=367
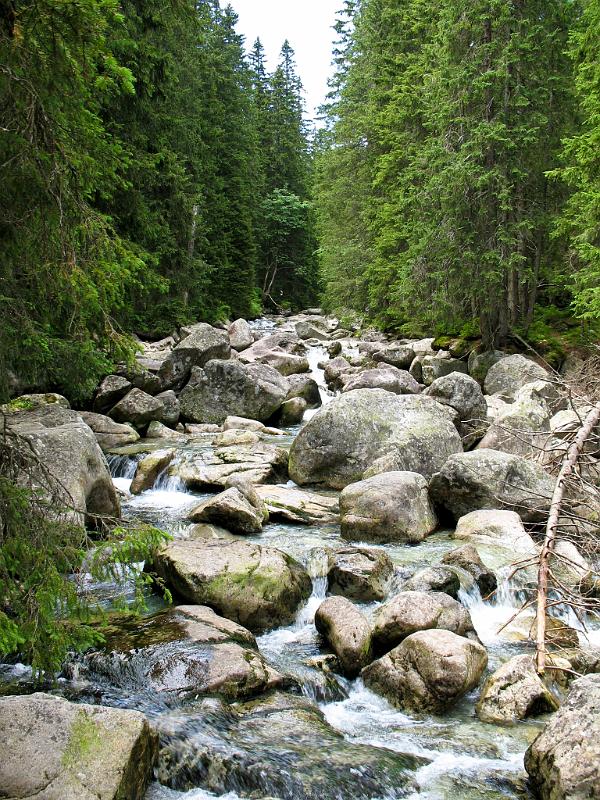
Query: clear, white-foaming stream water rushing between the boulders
x=370 y=743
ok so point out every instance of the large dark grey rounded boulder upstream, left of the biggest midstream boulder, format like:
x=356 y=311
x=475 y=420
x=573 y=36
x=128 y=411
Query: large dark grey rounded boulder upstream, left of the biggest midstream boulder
x=230 y=388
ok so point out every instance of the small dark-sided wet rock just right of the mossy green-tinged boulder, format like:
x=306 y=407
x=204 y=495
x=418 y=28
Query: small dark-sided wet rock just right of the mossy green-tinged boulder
x=360 y=574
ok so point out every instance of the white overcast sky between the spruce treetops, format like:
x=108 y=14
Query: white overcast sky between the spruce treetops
x=308 y=26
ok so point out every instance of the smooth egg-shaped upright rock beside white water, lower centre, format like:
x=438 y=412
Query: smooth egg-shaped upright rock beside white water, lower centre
x=347 y=632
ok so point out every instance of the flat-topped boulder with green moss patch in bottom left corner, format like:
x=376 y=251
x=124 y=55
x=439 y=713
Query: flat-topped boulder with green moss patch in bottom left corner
x=56 y=750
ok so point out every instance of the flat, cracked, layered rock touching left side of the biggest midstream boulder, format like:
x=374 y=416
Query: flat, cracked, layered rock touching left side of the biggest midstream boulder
x=257 y=463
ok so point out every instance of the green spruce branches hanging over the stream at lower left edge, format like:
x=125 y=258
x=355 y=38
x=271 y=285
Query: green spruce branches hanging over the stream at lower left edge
x=46 y=562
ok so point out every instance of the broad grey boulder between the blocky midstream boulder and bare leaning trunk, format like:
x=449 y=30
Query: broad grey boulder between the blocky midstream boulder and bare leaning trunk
x=489 y=479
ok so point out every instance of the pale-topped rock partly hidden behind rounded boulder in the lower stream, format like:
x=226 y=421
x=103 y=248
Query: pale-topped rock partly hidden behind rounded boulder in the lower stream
x=409 y=612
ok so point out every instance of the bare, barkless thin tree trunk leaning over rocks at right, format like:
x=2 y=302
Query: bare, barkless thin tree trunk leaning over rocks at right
x=568 y=466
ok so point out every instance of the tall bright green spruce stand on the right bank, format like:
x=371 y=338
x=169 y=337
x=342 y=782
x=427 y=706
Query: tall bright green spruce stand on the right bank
x=433 y=202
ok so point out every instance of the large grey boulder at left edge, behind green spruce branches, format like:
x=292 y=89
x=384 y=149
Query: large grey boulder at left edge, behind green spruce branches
x=72 y=470
